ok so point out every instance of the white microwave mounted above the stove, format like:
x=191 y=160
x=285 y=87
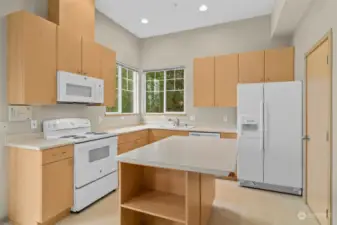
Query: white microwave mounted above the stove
x=74 y=88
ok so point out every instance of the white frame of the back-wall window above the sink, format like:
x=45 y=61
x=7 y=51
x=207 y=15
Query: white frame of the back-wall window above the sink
x=165 y=94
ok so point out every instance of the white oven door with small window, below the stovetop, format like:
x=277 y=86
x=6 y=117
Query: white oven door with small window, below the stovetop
x=94 y=160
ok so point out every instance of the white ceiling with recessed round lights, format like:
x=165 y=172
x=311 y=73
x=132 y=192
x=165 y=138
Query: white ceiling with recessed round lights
x=169 y=16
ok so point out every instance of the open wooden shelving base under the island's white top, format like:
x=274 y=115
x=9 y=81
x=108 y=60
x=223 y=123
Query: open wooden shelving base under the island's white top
x=156 y=196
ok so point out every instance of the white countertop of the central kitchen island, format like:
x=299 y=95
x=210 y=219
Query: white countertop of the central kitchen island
x=187 y=154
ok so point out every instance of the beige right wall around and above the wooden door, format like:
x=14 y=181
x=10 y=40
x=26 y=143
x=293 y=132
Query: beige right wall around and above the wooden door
x=319 y=19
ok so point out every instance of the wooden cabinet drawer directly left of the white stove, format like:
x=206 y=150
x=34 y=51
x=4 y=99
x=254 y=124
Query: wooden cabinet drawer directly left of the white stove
x=57 y=154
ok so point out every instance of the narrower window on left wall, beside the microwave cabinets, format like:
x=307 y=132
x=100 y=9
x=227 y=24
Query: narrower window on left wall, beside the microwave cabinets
x=126 y=91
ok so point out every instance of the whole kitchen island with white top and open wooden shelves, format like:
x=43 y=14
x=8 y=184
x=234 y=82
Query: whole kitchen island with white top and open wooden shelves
x=173 y=181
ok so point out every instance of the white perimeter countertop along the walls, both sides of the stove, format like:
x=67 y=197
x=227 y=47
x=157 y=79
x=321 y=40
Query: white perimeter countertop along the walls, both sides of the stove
x=37 y=142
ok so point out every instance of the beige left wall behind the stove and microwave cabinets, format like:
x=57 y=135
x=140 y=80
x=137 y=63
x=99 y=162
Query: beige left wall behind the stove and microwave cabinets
x=107 y=33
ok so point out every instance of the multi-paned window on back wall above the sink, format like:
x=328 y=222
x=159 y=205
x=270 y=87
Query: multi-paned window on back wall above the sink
x=165 y=91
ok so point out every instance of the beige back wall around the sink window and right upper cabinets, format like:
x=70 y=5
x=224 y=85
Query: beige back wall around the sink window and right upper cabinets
x=179 y=50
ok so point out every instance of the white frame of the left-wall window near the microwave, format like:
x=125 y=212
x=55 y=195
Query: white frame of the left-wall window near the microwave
x=120 y=90
